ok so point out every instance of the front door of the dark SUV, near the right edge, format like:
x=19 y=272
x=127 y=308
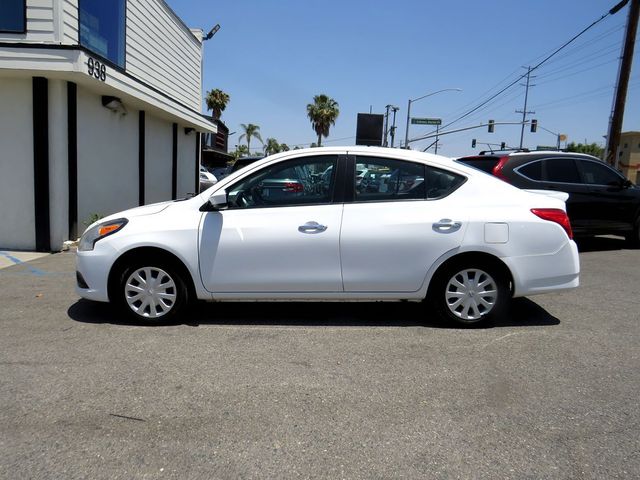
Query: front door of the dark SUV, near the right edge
x=613 y=203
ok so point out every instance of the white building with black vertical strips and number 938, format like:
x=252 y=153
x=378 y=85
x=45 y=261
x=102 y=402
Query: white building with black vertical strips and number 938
x=101 y=112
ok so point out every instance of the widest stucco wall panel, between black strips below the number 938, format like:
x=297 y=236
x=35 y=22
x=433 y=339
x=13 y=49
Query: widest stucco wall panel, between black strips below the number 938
x=107 y=158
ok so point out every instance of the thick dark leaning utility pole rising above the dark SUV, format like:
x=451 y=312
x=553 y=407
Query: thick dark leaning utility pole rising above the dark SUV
x=617 y=115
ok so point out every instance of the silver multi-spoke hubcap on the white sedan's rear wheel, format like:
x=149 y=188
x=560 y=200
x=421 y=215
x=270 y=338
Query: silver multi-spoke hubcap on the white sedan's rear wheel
x=470 y=294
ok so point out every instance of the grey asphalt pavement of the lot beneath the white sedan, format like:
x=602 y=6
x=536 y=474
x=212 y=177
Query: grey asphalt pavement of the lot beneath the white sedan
x=320 y=390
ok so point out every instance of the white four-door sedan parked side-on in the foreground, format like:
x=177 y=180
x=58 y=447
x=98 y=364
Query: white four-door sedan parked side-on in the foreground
x=294 y=226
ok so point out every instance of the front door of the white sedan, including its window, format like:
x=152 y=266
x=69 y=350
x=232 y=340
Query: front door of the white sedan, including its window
x=278 y=234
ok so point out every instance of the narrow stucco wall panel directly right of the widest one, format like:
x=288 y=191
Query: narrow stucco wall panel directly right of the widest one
x=158 y=153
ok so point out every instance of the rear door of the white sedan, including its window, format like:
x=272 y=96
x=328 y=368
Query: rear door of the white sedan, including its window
x=398 y=224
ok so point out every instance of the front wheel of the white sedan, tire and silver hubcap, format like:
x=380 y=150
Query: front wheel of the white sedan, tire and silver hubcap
x=152 y=292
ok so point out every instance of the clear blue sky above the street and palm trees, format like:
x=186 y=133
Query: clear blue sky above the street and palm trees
x=273 y=57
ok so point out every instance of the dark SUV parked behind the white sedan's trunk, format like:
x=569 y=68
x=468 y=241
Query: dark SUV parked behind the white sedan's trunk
x=601 y=200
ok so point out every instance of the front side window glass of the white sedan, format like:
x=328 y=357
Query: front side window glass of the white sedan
x=304 y=181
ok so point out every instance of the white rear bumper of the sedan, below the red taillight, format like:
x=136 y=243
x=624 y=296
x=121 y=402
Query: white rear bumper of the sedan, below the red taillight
x=545 y=273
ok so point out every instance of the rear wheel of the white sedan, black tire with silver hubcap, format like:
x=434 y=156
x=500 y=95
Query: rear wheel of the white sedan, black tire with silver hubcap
x=471 y=293
